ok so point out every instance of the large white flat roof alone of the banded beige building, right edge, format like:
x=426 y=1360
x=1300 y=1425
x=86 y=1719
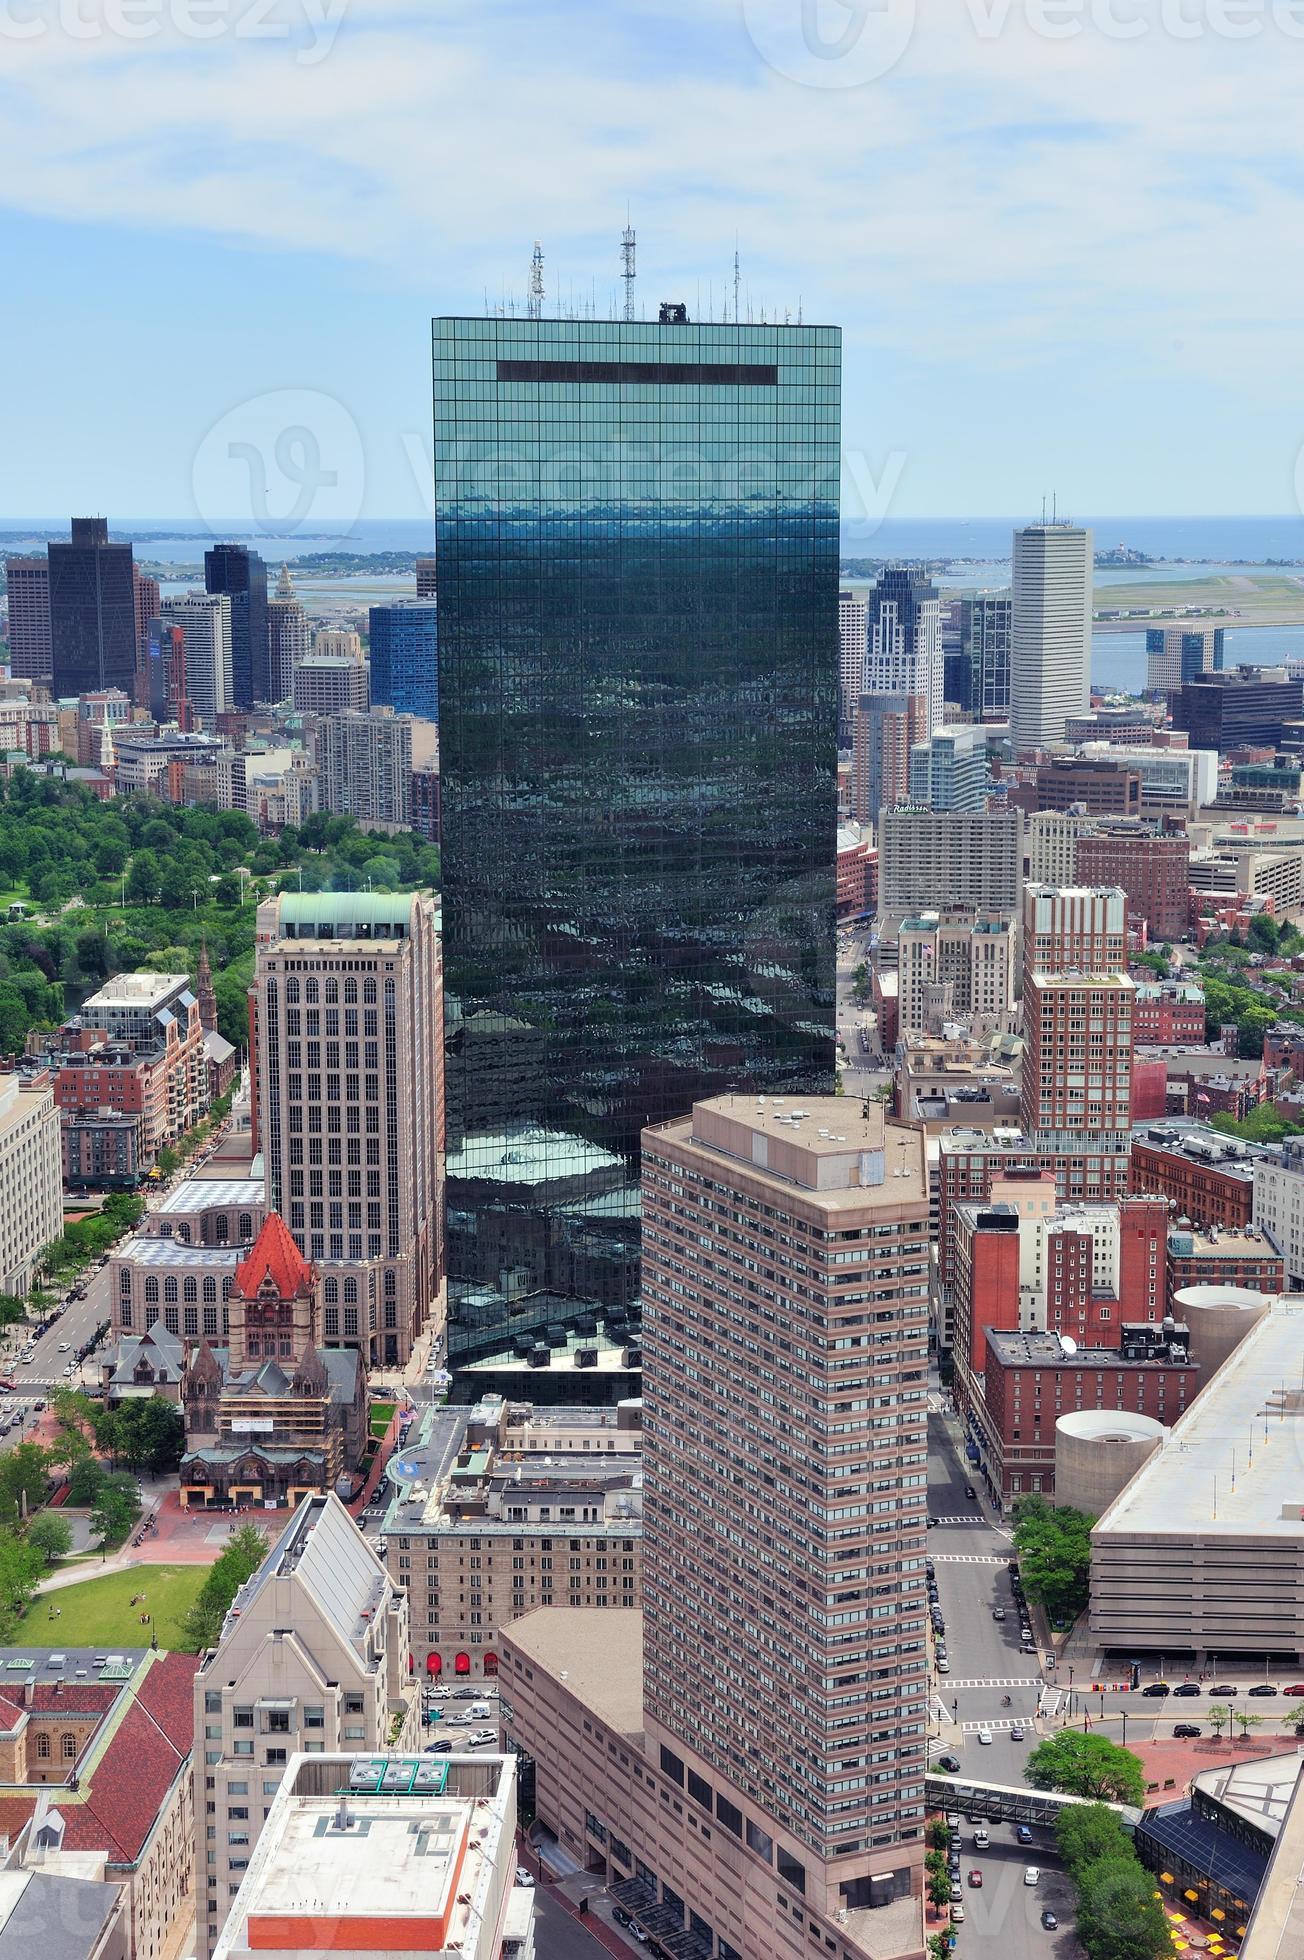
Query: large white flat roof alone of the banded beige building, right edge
x=1230 y=1467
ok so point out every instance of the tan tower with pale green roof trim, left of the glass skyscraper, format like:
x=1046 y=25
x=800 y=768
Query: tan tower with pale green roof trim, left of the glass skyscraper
x=350 y=1104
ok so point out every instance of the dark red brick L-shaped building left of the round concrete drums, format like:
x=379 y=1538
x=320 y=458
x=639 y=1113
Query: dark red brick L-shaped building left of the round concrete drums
x=1030 y=1383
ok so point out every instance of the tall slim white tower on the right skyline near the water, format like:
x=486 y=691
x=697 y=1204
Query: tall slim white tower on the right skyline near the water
x=1050 y=634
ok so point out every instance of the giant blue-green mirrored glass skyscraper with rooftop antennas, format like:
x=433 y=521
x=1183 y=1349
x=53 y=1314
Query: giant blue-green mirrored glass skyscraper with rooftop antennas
x=638 y=726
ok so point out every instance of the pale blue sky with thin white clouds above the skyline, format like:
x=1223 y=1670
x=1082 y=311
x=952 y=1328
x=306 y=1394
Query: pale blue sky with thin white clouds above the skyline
x=1062 y=236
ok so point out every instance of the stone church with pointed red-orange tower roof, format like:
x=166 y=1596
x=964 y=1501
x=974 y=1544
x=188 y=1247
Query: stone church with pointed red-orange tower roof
x=274 y=1416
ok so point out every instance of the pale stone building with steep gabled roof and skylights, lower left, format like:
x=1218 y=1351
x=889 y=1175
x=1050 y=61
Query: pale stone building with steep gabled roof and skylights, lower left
x=313 y=1657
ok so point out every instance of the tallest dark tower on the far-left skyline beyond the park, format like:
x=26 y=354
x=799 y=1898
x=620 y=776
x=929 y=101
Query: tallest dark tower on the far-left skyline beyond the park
x=91 y=611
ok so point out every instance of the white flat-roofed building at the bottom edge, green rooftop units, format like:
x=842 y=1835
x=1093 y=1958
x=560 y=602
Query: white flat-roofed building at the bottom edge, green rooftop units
x=387 y=1855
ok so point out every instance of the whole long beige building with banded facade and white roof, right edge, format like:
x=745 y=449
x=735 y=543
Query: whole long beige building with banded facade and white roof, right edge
x=1203 y=1553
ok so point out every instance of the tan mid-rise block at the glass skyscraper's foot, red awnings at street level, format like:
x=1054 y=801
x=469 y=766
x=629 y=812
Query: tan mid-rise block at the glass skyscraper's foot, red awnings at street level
x=513 y=1510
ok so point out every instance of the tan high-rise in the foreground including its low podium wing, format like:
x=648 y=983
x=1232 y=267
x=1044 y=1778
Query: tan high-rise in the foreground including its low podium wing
x=774 y=1790
